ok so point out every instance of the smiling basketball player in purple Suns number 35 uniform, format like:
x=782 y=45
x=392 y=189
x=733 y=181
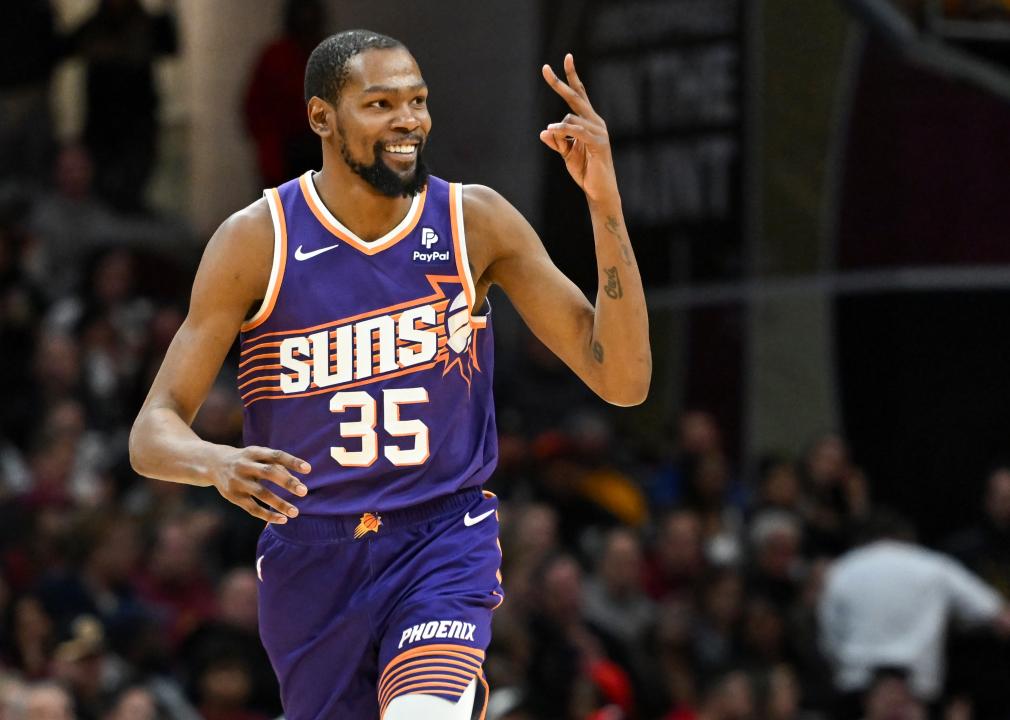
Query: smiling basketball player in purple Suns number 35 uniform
x=366 y=359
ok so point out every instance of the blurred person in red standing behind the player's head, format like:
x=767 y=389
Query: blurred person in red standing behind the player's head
x=275 y=104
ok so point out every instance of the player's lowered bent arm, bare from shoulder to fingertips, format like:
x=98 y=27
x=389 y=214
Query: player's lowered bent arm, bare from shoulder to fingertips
x=234 y=275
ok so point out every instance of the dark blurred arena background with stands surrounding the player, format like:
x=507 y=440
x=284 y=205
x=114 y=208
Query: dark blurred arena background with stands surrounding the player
x=818 y=195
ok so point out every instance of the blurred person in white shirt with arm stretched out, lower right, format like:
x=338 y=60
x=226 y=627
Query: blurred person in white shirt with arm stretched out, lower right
x=888 y=603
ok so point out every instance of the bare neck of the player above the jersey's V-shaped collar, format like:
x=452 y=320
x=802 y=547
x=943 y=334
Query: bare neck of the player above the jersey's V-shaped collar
x=363 y=210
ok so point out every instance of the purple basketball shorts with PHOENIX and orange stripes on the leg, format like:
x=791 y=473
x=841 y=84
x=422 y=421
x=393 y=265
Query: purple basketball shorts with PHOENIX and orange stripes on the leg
x=356 y=611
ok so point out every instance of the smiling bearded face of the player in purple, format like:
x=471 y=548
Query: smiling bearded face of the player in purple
x=383 y=122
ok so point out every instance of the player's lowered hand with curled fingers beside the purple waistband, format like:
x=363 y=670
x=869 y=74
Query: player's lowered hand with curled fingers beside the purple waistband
x=240 y=475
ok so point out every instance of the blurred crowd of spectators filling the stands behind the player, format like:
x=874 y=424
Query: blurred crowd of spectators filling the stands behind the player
x=669 y=583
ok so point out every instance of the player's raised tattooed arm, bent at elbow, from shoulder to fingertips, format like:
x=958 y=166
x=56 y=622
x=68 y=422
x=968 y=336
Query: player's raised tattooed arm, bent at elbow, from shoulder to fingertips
x=607 y=345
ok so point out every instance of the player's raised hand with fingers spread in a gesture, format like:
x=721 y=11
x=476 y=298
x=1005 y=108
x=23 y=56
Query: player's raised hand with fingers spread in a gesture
x=581 y=139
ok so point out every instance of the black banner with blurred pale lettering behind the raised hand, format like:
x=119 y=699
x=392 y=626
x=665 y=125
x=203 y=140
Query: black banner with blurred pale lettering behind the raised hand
x=668 y=78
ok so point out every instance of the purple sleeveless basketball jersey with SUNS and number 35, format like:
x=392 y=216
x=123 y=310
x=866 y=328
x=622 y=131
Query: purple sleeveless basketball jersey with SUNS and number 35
x=365 y=359
